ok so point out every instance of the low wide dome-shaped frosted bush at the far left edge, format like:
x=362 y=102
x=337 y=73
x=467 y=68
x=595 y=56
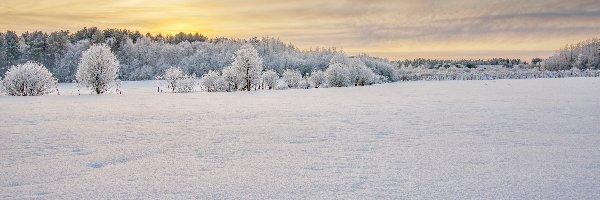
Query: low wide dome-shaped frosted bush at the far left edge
x=29 y=79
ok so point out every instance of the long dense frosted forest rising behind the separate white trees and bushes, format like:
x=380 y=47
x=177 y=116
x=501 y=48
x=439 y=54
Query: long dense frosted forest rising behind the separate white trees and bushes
x=146 y=56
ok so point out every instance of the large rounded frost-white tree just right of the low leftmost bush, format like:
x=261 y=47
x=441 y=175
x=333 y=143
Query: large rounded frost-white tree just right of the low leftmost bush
x=97 y=68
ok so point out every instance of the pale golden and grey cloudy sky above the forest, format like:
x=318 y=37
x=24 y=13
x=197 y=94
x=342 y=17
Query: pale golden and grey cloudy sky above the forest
x=394 y=29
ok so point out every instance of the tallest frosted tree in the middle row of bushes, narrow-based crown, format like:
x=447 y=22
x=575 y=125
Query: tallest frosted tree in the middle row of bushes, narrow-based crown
x=248 y=64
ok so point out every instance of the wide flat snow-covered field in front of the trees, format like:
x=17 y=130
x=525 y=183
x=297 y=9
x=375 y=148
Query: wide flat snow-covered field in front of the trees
x=502 y=139
